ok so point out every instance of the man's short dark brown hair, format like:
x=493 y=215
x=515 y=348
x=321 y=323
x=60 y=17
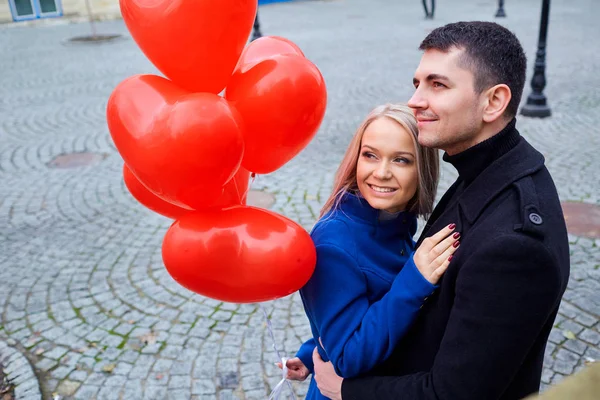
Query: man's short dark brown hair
x=492 y=53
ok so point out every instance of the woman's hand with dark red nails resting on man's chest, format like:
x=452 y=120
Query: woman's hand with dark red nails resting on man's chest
x=435 y=253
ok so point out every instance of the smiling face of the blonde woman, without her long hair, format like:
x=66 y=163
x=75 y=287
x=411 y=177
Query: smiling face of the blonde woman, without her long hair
x=386 y=172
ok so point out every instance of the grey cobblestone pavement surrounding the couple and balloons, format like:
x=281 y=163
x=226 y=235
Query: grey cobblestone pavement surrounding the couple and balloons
x=83 y=292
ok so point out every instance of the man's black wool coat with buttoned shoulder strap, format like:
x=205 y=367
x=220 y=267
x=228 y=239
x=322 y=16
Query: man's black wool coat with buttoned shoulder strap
x=482 y=335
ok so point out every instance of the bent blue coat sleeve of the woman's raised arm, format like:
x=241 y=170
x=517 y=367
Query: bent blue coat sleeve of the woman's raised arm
x=357 y=336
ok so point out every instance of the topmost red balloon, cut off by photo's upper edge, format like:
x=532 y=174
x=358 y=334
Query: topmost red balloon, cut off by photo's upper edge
x=195 y=43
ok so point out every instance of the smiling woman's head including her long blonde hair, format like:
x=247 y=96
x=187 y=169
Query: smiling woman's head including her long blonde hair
x=391 y=131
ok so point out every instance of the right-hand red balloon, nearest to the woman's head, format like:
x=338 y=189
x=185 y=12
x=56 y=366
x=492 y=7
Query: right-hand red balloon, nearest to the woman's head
x=282 y=101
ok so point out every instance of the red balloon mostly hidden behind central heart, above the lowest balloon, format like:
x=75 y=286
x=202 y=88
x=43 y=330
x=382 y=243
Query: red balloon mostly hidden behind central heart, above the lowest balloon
x=234 y=194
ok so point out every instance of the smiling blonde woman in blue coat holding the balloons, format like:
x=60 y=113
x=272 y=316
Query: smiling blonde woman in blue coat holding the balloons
x=365 y=248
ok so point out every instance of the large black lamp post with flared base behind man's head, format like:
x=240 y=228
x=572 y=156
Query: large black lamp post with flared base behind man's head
x=536 y=105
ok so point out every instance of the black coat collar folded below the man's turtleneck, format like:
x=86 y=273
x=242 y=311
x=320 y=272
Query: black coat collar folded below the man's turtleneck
x=521 y=161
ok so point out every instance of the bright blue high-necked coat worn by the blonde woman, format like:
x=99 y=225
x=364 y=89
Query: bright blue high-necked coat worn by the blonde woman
x=360 y=257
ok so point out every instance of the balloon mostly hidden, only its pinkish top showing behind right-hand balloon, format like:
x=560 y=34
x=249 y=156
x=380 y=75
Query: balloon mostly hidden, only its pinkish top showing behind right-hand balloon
x=263 y=48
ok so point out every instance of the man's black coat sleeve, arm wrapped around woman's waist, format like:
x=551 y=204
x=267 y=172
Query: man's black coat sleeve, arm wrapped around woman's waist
x=505 y=293
